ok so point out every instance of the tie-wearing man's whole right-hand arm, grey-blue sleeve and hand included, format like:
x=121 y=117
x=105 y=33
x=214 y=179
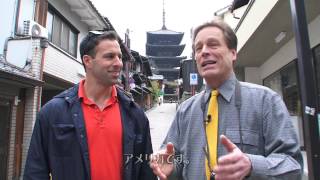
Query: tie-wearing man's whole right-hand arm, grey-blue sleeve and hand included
x=279 y=154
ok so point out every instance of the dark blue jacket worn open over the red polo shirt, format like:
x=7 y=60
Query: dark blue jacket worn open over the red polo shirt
x=59 y=142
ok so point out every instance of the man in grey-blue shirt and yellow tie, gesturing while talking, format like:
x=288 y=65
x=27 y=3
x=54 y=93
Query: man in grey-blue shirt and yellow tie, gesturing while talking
x=243 y=132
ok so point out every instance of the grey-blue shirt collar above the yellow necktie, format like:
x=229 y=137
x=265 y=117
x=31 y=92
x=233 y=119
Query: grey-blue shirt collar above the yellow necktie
x=226 y=90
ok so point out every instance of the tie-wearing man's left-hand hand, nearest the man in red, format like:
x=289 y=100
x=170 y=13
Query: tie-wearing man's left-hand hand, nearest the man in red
x=162 y=162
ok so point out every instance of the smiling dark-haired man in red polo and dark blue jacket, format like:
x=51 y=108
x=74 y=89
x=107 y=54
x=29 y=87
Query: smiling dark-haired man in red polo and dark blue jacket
x=93 y=130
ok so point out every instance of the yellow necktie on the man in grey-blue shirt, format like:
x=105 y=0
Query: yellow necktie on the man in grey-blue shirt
x=212 y=131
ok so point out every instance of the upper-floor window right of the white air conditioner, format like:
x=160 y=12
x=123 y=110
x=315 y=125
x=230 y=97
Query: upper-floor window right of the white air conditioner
x=61 y=32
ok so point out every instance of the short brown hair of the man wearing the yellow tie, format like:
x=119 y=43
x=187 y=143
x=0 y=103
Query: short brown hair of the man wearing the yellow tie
x=229 y=35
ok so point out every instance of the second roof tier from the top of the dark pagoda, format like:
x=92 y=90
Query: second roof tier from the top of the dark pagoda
x=164 y=50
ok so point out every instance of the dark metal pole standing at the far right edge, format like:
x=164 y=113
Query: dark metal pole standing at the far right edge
x=308 y=88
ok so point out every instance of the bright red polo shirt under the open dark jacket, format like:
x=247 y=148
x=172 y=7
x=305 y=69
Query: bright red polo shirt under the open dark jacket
x=104 y=135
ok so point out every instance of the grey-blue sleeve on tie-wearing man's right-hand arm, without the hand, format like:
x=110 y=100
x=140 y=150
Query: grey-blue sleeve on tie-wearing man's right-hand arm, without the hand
x=282 y=158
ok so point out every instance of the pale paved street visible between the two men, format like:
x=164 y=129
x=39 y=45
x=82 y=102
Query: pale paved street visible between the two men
x=160 y=118
